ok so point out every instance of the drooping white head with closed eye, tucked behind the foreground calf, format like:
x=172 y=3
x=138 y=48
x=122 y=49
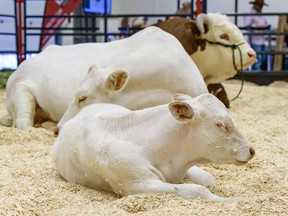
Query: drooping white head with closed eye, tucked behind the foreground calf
x=98 y=87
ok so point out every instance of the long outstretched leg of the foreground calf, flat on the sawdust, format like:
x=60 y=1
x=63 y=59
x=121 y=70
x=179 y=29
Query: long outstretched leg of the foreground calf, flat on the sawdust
x=188 y=191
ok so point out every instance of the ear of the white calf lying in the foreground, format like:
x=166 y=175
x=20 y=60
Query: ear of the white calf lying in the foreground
x=182 y=111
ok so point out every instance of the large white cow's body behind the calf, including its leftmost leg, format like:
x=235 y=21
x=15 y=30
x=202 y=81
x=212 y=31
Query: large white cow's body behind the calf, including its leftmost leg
x=156 y=62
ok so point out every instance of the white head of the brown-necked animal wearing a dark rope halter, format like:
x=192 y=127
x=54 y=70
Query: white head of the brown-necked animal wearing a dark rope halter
x=216 y=61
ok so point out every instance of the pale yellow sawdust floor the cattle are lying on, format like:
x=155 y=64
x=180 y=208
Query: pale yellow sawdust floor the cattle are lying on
x=29 y=184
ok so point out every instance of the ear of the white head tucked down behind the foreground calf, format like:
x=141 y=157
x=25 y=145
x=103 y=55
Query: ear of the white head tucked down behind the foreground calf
x=117 y=80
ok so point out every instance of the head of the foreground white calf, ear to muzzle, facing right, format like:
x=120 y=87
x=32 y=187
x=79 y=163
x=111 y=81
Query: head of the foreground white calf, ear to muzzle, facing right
x=215 y=138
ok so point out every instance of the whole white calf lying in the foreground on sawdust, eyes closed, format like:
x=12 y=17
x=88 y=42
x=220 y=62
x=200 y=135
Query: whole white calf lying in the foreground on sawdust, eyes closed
x=111 y=148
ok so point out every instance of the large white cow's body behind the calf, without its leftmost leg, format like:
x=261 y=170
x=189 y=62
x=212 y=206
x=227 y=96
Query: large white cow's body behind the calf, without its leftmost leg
x=153 y=58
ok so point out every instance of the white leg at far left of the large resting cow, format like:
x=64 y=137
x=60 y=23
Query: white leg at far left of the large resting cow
x=22 y=107
